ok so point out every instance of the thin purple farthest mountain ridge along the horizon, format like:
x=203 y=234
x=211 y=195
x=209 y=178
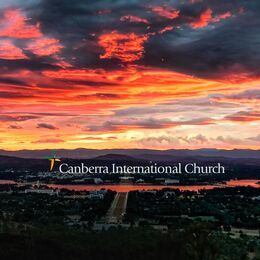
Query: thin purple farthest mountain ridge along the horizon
x=146 y=154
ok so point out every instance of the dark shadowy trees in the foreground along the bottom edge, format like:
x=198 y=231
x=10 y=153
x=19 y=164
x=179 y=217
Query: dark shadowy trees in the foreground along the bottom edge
x=197 y=242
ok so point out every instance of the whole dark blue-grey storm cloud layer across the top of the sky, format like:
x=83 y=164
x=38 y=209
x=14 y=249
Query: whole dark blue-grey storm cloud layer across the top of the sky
x=231 y=46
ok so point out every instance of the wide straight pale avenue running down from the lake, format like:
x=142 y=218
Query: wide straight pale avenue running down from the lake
x=117 y=209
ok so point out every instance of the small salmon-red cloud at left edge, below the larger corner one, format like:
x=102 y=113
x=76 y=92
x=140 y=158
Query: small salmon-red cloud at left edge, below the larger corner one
x=8 y=51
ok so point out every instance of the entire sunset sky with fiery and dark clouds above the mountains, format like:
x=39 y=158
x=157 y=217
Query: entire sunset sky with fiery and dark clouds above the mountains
x=129 y=74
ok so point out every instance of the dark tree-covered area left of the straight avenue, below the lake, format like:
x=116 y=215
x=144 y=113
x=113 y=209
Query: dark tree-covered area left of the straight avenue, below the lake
x=42 y=209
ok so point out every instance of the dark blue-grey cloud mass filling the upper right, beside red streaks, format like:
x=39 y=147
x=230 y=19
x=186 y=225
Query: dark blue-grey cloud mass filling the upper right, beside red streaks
x=229 y=47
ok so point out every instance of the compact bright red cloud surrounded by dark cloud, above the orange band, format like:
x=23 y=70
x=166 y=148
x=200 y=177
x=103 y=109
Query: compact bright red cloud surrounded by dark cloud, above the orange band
x=125 y=47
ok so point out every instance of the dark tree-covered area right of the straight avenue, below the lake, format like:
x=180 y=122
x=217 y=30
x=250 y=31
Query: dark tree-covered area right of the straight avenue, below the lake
x=238 y=207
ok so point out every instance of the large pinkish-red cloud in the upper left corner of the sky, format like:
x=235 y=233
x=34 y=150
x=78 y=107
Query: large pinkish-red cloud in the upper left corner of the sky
x=15 y=25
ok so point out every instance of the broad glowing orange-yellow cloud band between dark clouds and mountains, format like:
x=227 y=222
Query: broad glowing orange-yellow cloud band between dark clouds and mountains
x=90 y=102
